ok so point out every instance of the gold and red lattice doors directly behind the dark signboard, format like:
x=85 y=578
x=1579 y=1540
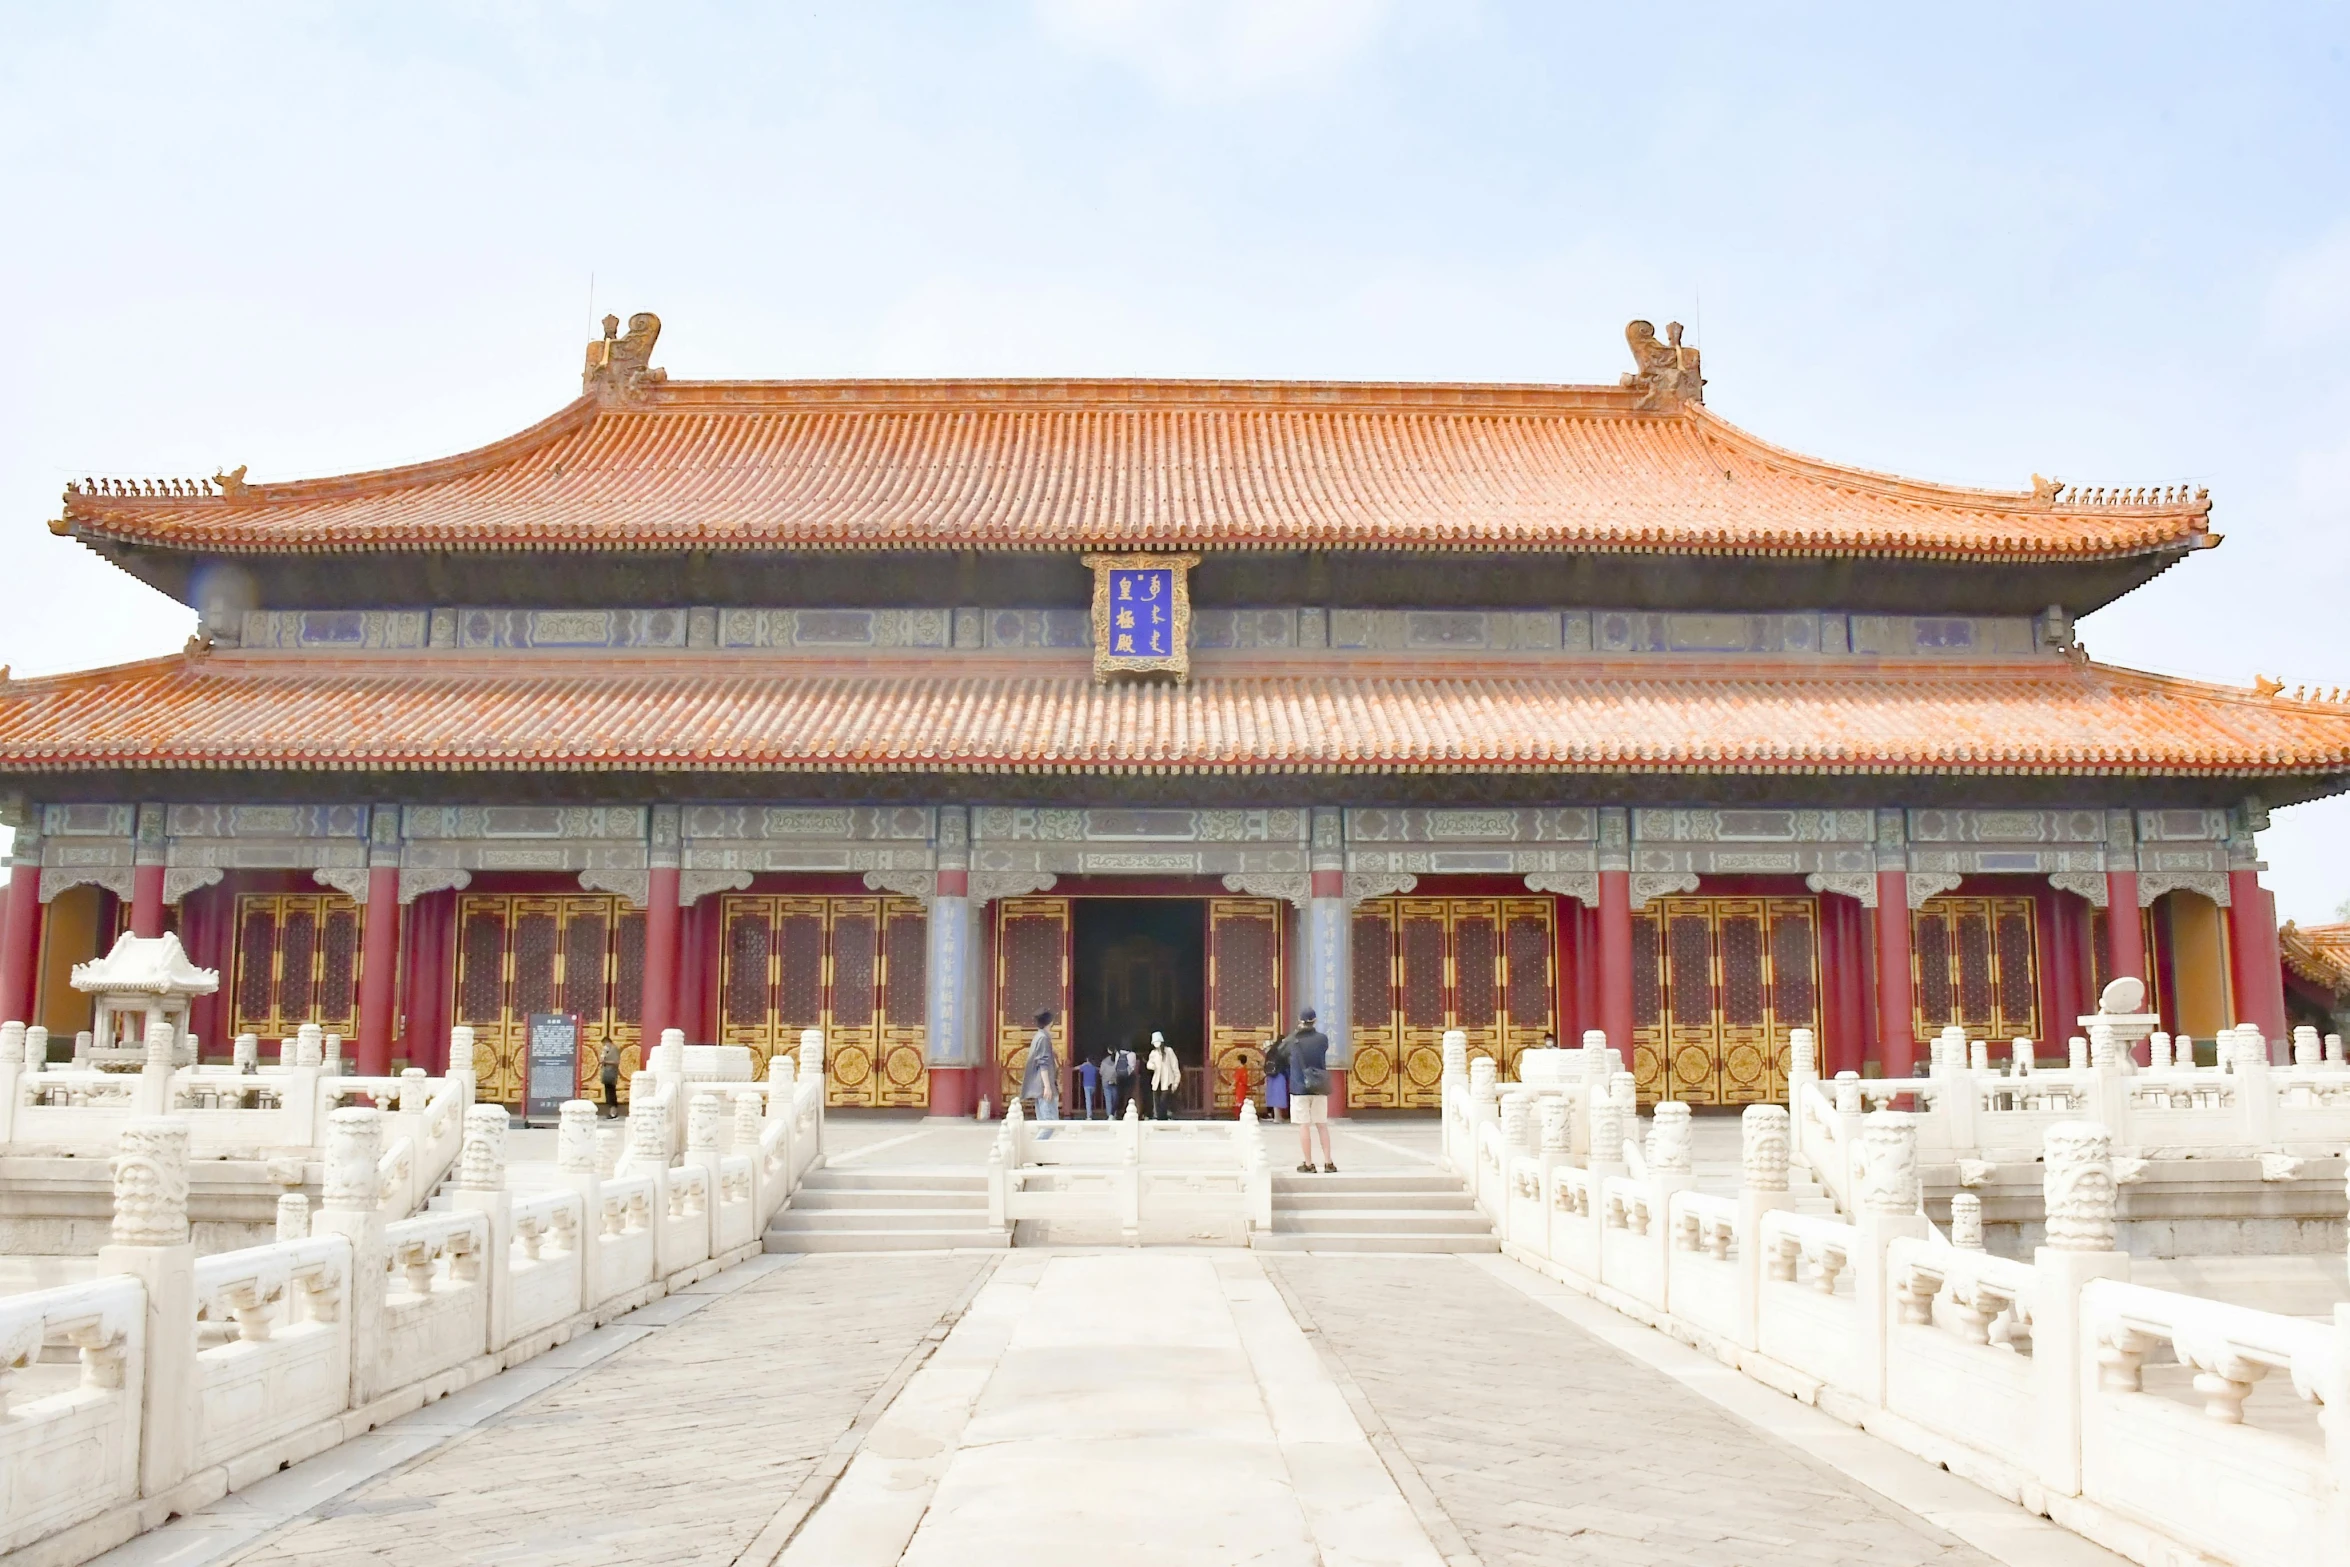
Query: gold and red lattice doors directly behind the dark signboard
x=523 y=953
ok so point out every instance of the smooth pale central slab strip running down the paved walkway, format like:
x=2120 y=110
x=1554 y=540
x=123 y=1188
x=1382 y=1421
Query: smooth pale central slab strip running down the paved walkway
x=1141 y=1408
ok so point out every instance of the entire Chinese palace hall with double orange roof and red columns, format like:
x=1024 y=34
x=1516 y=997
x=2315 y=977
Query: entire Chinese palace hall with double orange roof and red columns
x=913 y=708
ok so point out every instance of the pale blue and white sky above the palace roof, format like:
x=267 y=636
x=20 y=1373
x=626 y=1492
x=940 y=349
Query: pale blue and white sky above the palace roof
x=2102 y=243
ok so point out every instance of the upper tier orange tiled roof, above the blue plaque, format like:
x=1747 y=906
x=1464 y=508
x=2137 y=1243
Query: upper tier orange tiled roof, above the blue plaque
x=1143 y=464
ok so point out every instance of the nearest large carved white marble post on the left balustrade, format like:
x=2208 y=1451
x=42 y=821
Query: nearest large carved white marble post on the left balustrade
x=152 y=1244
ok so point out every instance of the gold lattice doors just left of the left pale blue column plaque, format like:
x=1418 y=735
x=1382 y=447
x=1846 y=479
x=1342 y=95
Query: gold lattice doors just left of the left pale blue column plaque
x=850 y=967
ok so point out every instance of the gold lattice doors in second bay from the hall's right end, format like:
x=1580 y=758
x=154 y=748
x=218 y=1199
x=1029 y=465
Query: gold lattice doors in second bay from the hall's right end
x=1719 y=988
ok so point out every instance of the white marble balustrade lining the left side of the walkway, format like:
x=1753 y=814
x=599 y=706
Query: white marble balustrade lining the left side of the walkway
x=201 y=1376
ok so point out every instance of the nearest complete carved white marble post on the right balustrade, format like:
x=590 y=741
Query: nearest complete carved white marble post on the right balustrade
x=2081 y=1206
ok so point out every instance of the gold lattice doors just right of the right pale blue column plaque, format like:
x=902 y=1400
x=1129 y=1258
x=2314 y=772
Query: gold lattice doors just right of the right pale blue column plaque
x=1432 y=964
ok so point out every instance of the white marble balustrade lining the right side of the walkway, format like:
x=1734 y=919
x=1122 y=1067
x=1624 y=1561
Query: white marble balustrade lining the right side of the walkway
x=2158 y=1425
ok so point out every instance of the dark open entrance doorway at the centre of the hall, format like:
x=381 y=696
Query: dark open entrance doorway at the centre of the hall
x=1141 y=964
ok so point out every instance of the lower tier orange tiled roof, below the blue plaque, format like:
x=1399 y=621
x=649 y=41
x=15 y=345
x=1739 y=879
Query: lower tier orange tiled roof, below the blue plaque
x=941 y=713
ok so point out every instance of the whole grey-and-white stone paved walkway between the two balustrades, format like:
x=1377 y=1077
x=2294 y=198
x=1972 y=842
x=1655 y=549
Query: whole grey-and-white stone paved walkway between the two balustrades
x=1139 y=1408
